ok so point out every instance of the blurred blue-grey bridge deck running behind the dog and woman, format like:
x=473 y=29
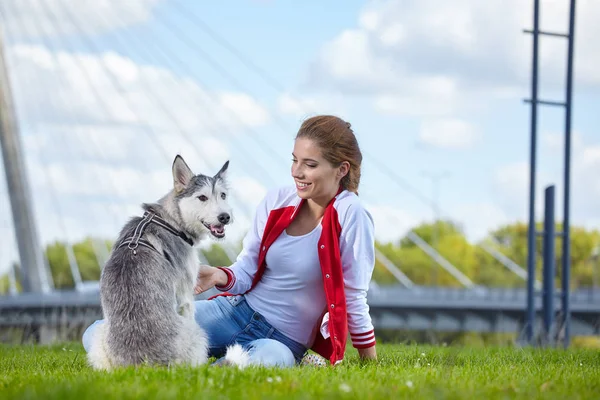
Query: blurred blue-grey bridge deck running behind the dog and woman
x=484 y=310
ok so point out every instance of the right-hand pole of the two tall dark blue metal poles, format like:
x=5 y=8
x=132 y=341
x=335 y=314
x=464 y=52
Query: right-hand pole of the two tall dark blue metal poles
x=566 y=249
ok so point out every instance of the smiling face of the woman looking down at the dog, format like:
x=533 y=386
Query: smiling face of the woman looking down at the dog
x=314 y=176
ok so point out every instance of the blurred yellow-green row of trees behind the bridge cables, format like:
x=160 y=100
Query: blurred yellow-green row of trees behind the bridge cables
x=470 y=258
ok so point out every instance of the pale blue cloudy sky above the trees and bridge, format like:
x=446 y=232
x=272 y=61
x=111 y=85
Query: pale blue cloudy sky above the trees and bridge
x=107 y=93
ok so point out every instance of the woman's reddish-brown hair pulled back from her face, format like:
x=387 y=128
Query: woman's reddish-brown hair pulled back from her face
x=337 y=142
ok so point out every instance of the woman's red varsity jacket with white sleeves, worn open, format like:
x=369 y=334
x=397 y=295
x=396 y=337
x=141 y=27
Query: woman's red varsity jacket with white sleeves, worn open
x=347 y=256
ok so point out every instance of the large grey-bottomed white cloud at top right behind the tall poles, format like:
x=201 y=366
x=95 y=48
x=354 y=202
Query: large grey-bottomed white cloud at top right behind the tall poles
x=432 y=57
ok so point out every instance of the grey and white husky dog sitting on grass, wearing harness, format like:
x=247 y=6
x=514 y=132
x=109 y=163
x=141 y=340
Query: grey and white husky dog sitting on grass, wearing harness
x=147 y=285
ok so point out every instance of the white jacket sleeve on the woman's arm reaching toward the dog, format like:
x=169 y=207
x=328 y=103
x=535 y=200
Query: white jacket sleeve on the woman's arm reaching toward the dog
x=241 y=273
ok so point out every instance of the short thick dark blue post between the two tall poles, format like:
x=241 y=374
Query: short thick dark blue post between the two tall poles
x=549 y=263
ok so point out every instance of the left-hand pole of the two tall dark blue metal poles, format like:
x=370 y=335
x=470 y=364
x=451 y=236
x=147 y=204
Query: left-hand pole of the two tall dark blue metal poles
x=530 y=314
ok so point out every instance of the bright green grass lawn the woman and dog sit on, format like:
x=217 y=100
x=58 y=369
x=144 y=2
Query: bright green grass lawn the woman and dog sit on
x=403 y=371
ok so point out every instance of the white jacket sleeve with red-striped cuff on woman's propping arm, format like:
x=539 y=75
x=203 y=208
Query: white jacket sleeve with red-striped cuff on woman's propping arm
x=357 y=251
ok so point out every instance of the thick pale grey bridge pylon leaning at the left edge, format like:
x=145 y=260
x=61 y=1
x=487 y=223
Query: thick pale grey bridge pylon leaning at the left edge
x=33 y=271
